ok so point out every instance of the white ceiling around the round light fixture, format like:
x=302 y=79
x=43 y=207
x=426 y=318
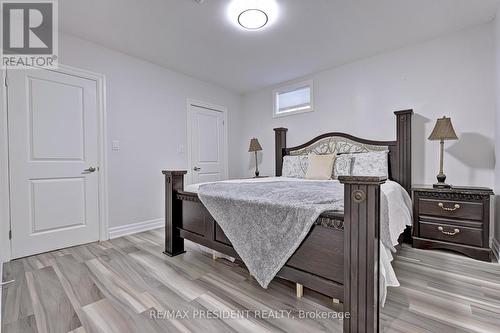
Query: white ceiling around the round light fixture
x=308 y=35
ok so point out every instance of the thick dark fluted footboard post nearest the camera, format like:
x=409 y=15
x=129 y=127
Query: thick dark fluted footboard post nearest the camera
x=361 y=252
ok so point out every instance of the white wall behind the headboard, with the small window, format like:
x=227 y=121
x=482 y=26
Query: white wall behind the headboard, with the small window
x=450 y=76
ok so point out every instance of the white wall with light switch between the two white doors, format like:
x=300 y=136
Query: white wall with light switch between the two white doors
x=146 y=109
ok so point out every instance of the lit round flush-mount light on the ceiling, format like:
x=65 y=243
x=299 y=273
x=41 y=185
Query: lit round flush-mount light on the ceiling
x=252 y=14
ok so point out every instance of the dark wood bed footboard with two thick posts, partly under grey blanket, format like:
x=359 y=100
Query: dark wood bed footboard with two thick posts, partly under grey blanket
x=361 y=242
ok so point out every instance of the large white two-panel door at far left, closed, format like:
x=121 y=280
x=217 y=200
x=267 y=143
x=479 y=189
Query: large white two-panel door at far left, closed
x=53 y=153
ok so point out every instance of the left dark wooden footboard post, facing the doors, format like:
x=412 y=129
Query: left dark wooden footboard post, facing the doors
x=174 y=244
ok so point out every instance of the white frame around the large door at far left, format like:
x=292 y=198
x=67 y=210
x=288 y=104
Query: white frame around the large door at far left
x=5 y=219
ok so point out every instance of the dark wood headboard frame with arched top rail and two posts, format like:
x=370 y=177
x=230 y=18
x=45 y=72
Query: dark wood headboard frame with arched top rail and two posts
x=399 y=150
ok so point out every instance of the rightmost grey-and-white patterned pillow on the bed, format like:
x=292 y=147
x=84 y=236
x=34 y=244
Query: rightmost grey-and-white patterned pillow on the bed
x=371 y=164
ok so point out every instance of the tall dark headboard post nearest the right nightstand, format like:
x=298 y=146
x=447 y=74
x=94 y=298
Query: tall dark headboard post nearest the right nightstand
x=403 y=121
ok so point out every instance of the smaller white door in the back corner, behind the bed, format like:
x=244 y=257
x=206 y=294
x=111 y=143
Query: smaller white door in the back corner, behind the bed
x=207 y=144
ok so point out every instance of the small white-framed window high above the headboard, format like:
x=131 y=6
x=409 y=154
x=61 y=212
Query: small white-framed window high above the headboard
x=297 y=98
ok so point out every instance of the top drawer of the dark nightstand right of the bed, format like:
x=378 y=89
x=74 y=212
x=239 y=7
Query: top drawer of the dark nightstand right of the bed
x=451 y=209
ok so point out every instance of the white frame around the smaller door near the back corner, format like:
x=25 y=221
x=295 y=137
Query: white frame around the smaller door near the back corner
x=218 y=108
